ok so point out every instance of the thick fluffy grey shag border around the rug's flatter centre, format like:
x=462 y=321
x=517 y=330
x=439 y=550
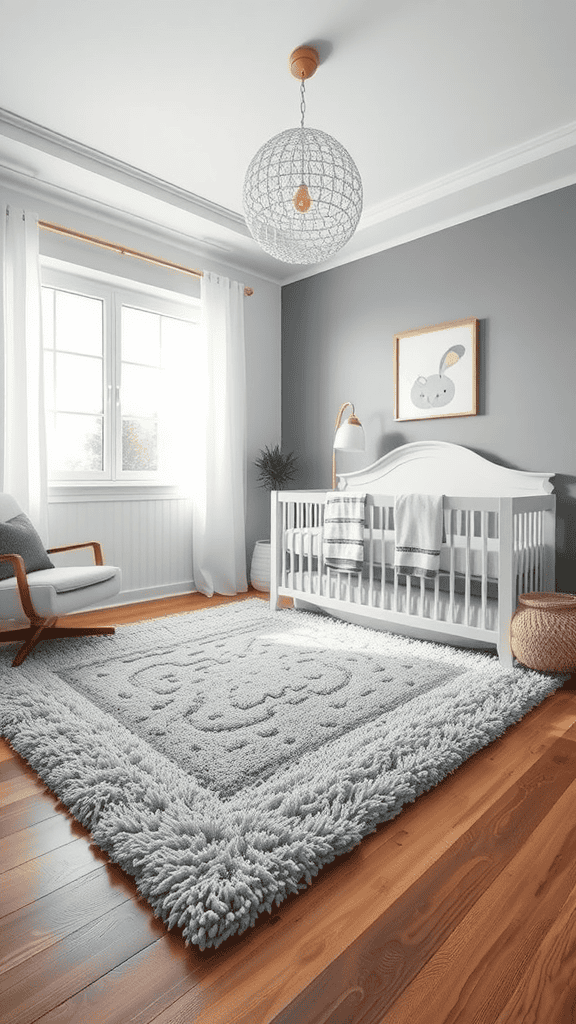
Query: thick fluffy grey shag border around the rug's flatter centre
x=211 y=868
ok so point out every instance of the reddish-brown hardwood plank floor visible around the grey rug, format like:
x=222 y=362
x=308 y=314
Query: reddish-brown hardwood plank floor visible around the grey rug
x=462 y=911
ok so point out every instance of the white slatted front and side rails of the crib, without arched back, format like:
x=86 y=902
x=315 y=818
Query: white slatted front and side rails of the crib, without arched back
x=493 y=549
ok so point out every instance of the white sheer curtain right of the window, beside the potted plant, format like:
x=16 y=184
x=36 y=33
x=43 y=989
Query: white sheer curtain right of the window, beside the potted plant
x=219 y=437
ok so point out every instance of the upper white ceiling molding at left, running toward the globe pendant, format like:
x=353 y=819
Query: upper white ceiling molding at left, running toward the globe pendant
x=29 y=134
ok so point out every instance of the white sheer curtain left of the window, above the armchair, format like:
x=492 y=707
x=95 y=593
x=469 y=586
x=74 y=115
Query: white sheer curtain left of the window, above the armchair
x=24 y=456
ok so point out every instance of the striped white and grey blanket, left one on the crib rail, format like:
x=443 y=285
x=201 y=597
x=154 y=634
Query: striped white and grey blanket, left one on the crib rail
x=343 y=543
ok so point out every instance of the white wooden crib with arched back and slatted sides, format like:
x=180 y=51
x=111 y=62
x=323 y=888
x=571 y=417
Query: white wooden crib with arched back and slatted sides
x=500 y=542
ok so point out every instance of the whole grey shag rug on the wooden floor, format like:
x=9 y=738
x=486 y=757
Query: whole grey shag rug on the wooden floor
x=223 y=758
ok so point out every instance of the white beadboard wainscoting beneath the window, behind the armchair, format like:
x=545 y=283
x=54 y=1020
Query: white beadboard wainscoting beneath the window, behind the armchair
x=150 y=538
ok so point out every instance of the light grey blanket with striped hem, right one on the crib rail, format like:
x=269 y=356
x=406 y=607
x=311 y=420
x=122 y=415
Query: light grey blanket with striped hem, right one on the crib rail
x=419 y=534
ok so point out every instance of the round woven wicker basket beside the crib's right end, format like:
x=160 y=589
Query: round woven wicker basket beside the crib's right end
x=544 y=632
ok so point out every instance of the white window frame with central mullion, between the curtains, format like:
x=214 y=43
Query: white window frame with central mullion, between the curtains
x=115 y=293
